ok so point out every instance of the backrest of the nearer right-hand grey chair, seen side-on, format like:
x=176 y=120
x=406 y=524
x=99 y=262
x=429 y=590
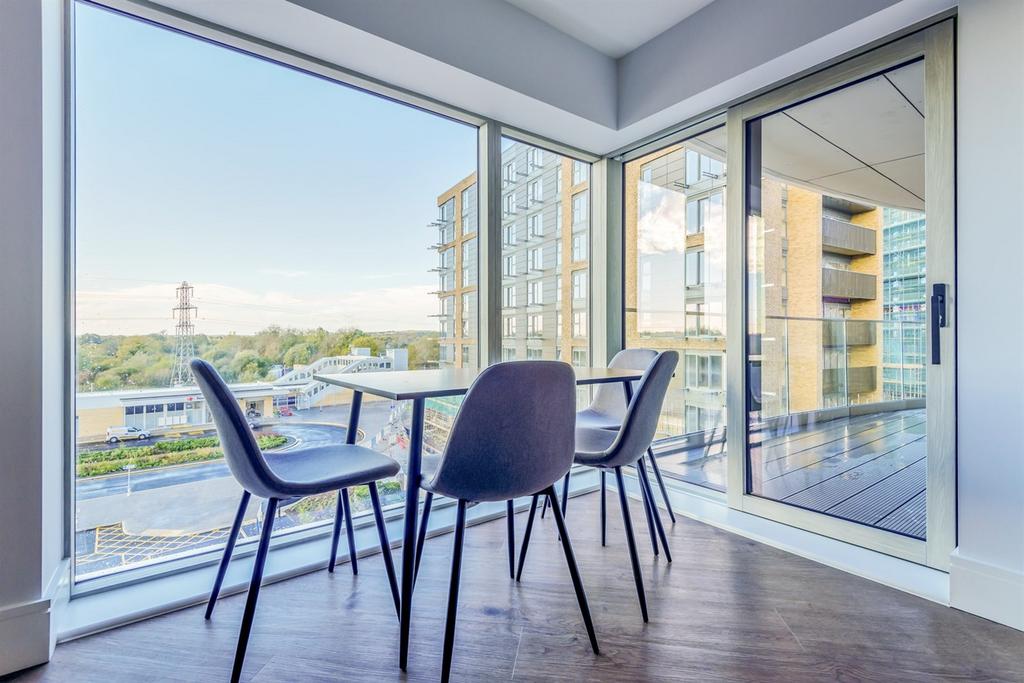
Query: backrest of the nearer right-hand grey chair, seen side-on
x=641 y=424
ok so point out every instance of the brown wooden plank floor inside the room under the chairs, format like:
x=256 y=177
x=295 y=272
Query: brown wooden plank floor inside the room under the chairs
x=728 y=610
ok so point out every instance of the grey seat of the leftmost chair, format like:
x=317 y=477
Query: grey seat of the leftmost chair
x=322 y=469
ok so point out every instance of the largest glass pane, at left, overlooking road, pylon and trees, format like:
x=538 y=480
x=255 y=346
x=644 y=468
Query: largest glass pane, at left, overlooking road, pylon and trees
x=271 y=222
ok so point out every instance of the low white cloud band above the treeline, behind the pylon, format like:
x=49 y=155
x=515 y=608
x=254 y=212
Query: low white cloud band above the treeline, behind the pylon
x=222 y=310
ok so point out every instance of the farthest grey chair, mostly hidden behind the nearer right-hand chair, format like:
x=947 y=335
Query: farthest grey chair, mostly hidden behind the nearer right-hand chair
x=607 y=411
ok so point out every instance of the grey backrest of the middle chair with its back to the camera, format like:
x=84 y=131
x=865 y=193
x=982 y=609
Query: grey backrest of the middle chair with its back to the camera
x=515 y=434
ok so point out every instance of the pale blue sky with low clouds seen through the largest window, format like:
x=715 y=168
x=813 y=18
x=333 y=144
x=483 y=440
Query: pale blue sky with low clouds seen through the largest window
x=284 y=198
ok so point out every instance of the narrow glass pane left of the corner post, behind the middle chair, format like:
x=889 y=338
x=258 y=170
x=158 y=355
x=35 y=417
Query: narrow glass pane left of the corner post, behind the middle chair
x=546 y=249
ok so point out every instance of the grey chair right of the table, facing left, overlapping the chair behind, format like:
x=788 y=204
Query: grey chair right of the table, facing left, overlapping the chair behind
x=608 y=450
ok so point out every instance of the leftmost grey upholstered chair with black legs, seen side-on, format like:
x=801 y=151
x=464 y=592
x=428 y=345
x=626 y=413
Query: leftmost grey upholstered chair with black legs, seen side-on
x=280 y=479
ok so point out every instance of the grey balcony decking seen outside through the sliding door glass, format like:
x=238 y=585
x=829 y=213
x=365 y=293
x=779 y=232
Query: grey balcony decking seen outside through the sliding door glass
x=870 y=469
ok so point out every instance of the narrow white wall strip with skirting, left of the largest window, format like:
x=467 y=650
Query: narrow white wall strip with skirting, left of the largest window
x=31 y=340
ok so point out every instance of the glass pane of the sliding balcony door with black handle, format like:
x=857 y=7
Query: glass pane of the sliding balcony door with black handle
x=836 y=278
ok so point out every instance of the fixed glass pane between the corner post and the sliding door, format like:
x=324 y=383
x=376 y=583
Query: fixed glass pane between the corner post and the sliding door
x=675 y=295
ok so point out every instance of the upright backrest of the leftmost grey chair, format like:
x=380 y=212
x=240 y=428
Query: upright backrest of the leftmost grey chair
x=241 y=451
